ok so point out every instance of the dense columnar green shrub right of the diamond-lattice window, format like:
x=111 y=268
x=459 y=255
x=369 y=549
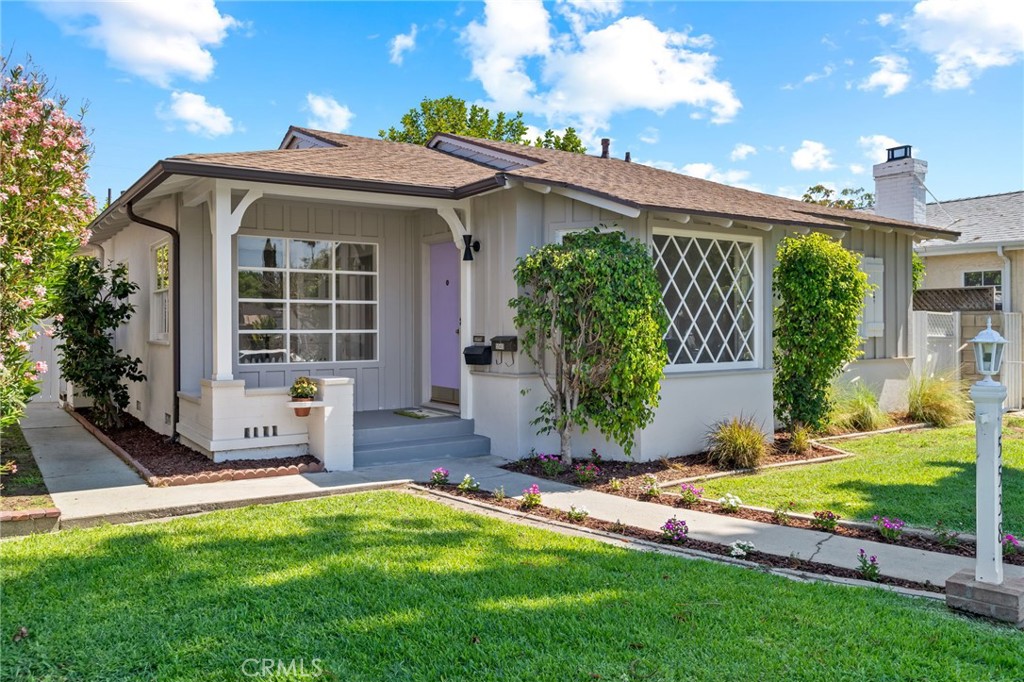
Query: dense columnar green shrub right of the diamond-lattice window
x=821 y=290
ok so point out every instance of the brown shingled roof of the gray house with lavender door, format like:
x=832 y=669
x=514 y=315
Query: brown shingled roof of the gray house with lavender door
x=375 y=165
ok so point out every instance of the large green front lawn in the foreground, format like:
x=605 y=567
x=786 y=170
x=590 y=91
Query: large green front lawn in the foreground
x=387 y=586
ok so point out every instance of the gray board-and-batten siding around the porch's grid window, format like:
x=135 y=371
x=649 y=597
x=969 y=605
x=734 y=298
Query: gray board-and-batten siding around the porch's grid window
x=391 y=381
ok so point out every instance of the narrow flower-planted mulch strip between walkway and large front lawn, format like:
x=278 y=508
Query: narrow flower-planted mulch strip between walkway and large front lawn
x=761 y=559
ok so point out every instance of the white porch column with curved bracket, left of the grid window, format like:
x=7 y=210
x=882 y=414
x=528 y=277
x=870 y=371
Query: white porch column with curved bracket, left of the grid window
x=225 y=222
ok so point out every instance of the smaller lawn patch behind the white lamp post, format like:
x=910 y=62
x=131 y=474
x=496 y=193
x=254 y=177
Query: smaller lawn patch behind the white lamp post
x=921 y=478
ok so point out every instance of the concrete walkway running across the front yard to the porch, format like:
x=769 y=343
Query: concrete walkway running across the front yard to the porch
x=91 y=486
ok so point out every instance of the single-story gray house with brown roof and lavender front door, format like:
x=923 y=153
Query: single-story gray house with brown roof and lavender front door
x=371 y=266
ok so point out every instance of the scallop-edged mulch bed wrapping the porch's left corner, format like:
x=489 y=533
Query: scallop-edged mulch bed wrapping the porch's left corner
x=165 y=463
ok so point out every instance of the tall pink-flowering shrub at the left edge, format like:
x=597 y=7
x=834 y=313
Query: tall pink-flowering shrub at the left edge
x=45 y=209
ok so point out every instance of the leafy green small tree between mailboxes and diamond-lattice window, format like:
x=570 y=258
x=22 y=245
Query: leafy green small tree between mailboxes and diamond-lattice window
x=593 y=307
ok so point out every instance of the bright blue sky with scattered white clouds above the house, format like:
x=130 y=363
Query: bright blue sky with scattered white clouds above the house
x=775 y=97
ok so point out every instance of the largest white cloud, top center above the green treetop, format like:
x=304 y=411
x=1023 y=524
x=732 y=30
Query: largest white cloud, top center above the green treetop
x=589 y=75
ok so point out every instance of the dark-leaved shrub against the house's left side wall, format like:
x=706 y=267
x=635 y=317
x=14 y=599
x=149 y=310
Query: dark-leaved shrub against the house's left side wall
x=94 y=303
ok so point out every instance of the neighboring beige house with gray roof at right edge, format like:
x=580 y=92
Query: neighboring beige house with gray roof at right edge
x=990 y=251
